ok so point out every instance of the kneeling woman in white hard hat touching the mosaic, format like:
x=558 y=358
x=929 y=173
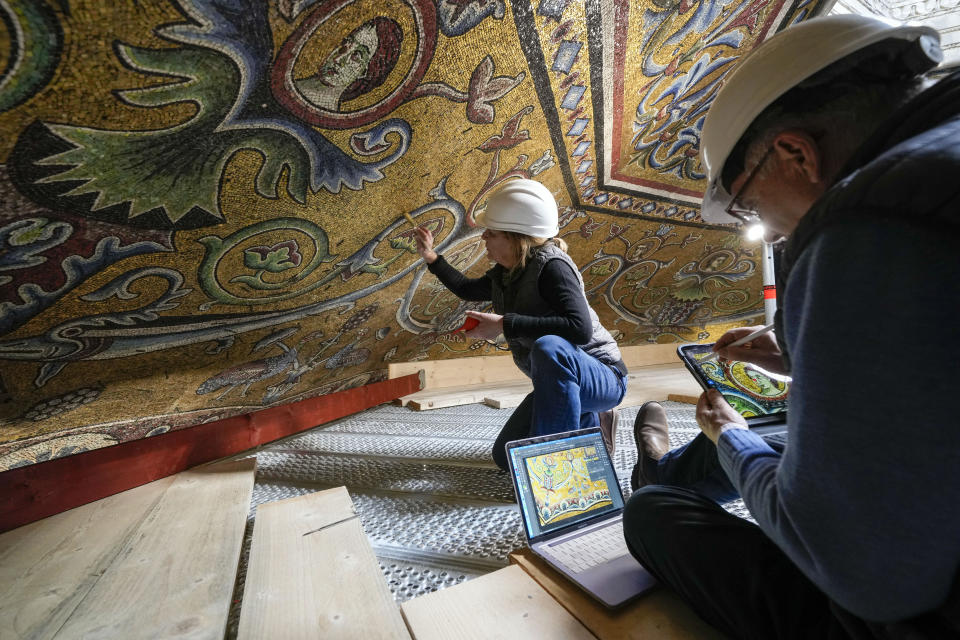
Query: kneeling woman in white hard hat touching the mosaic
x=542 y=310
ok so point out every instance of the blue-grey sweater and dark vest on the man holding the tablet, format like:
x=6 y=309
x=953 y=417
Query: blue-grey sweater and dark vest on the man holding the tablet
x=866 y=497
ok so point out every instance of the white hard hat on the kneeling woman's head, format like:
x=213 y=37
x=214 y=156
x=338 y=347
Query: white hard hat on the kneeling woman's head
x=522 y=206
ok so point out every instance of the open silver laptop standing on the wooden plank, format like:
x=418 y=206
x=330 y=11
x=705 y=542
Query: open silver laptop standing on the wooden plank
x=572 y=510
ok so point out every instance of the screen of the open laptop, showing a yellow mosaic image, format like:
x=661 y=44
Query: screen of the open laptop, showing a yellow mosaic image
x=564 y=481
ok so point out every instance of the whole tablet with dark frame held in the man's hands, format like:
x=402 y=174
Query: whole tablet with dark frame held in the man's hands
x=756 y=394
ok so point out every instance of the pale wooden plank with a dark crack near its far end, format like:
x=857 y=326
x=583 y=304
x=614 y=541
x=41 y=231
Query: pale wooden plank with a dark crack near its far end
x=312 y=574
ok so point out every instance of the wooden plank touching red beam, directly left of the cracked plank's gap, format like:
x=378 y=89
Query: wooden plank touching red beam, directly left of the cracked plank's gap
x=175 y=579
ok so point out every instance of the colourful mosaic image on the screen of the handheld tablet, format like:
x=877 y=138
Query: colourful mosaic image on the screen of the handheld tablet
x=749 y=389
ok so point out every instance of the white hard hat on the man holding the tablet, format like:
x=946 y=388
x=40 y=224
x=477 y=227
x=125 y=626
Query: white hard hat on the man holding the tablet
x=778 y=65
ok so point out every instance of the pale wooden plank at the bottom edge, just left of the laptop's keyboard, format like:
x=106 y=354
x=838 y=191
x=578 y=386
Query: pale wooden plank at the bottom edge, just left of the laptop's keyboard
x=504 y=604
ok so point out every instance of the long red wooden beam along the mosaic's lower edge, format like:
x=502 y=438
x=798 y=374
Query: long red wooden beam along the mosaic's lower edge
x=47 y=488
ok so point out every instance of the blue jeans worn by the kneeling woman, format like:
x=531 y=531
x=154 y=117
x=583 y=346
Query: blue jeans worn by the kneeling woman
x=570 y=387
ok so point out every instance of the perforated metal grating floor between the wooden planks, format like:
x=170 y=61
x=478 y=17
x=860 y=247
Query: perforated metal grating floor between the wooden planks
x=435 y=508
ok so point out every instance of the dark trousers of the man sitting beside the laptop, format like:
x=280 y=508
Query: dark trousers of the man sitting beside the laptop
x=725 y=567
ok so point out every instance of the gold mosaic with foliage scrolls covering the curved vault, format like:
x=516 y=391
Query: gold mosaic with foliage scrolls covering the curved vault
x=201 y=201
